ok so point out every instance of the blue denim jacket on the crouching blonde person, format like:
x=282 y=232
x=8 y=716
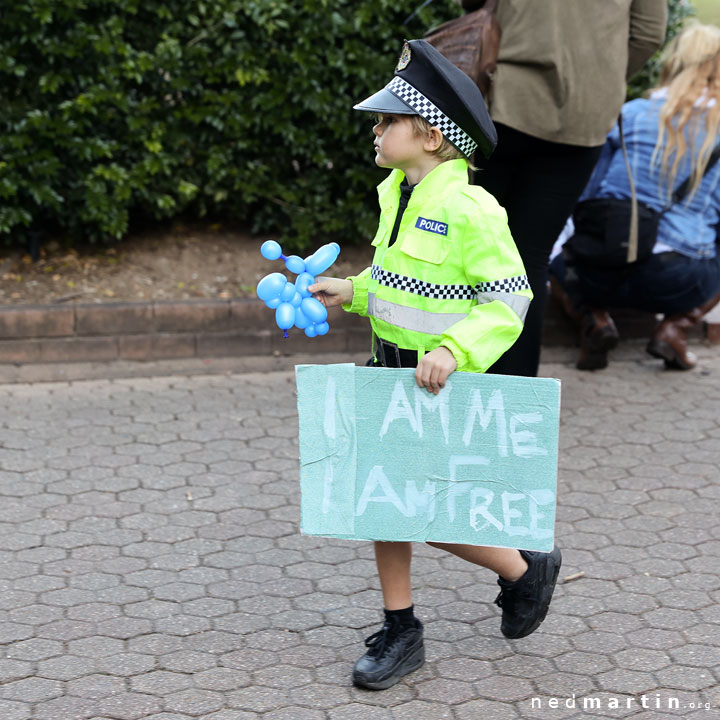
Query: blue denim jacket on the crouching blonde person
x=688 y=227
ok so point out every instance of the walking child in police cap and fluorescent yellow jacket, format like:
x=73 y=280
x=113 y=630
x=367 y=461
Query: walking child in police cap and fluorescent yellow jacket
x=446 y=291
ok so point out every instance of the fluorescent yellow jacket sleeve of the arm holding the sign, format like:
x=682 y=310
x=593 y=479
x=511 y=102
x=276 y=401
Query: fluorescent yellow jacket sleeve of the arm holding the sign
x=493 y=265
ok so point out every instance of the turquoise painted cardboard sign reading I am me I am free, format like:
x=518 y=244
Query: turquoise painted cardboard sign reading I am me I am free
x=382 y=459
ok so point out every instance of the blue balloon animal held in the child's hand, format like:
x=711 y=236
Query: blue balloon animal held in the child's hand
x=293 y=304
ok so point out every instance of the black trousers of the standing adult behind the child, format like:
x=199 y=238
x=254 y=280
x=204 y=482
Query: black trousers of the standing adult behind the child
x=538 y=184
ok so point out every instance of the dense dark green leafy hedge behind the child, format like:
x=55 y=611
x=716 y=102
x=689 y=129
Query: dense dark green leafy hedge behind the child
x=237 y=108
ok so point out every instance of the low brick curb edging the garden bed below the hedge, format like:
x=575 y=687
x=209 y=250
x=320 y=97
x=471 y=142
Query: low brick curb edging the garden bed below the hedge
x=170 y=330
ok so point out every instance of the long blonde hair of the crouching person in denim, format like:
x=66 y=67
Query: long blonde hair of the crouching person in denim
x=691 y=78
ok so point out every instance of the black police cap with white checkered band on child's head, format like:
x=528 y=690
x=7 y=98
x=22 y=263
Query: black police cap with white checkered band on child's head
x=426 y=83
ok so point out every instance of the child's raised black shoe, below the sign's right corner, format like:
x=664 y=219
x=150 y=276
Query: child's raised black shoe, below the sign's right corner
x=525 y=602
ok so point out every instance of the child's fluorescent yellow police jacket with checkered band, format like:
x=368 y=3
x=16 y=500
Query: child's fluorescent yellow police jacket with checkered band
x=453 y=277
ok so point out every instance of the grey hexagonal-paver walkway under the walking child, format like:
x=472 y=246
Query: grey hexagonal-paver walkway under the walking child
x=151 y=565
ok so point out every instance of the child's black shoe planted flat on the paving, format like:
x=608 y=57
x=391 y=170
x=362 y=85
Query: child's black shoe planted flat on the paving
x=392 y=653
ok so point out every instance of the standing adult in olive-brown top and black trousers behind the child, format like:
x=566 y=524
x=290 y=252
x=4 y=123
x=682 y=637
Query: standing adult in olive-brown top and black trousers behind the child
x=557 y=91
